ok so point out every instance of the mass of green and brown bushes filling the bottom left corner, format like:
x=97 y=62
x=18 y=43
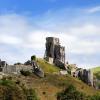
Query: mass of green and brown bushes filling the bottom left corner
x=12 y=90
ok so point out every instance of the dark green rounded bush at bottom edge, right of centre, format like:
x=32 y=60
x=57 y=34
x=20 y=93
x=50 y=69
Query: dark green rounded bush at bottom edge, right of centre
x=71 y=93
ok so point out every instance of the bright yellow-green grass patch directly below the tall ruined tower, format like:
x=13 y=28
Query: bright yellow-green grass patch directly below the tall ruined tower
x=47 y=68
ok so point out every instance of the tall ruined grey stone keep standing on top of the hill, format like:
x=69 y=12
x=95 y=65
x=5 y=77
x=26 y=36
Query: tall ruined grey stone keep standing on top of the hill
x=55 y=53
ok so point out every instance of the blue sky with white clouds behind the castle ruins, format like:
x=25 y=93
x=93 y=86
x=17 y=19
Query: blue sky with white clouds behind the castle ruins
x=24 y=25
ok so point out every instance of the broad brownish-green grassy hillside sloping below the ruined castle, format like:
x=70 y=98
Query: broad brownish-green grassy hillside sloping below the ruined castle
x=46 y=88
